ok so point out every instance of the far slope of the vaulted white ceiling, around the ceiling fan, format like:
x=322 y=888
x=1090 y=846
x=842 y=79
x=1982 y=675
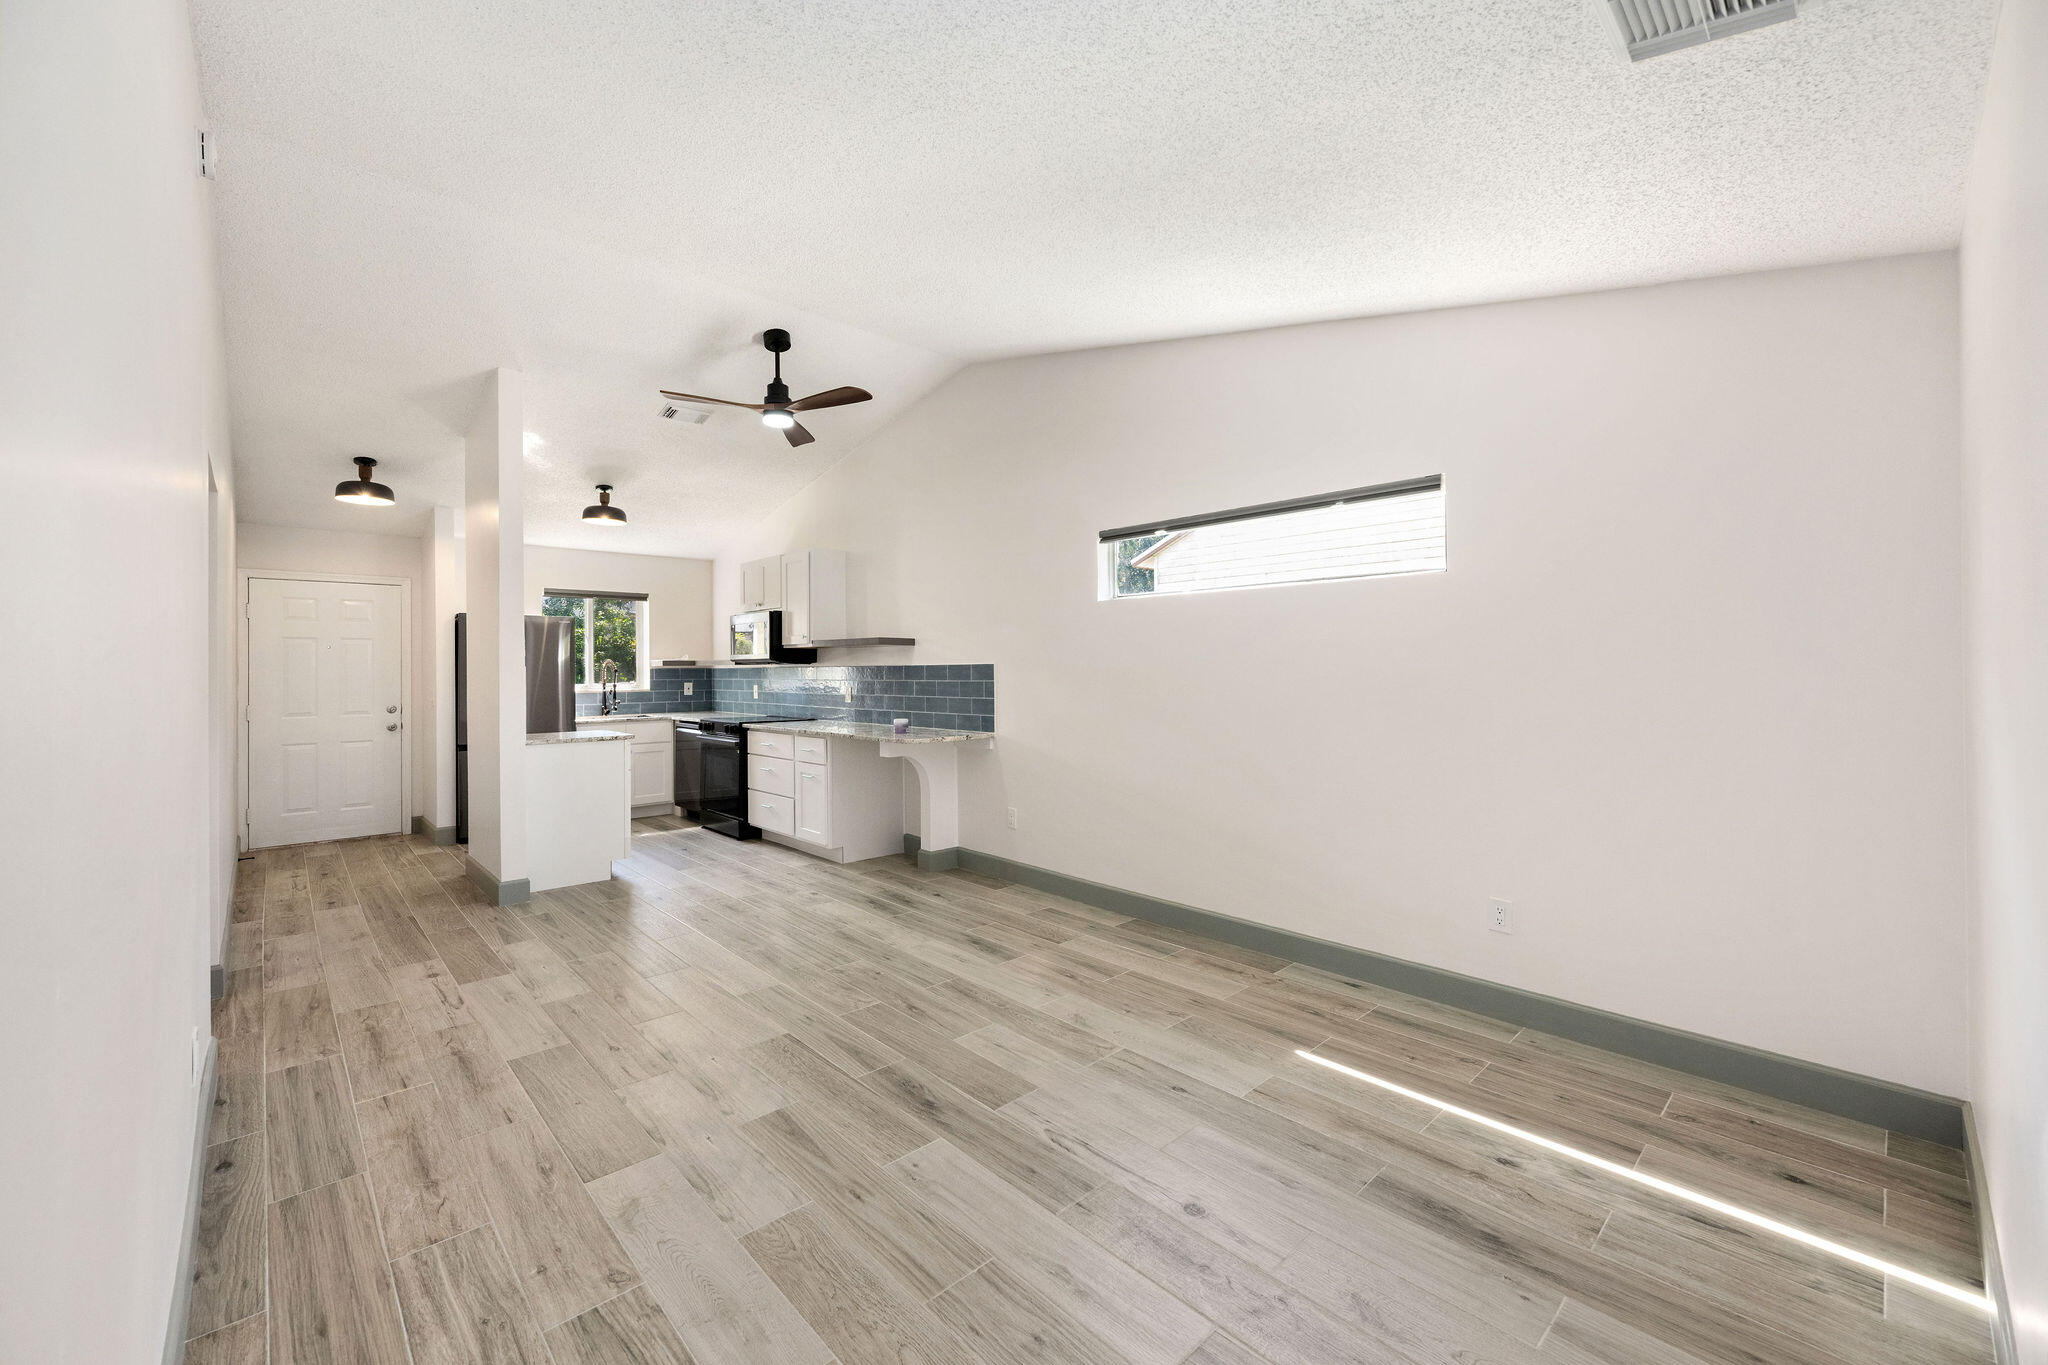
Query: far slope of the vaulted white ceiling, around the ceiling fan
x=364 y=316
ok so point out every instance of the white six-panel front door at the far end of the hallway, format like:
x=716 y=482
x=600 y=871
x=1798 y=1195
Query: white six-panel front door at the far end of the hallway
x=325 y=711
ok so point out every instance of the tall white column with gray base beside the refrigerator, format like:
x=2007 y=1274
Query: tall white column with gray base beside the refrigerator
x=495 y=595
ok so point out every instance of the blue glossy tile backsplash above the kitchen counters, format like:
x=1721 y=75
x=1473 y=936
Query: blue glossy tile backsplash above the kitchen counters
x=957 y=697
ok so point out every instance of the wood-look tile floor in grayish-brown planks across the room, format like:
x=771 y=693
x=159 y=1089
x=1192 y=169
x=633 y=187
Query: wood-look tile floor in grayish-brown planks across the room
x=742 y=1106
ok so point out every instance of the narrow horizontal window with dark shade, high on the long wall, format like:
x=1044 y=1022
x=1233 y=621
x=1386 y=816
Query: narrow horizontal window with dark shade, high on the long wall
x=1359 y=533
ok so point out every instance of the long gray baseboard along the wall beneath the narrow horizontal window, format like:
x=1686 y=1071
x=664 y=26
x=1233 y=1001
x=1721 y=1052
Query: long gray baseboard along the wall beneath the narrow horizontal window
x=1867 y=1100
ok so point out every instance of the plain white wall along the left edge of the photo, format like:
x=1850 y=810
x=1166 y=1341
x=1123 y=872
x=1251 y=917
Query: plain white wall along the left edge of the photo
x=112 y=406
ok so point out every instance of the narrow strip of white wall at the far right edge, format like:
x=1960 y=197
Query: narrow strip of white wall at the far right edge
x=2006 y=500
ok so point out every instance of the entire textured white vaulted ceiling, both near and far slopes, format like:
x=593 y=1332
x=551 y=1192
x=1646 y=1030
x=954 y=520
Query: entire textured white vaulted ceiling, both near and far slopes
x=415 y=191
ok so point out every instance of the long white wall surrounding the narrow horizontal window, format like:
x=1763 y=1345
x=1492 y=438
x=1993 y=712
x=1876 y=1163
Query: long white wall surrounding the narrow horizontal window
x=1691 y=693
